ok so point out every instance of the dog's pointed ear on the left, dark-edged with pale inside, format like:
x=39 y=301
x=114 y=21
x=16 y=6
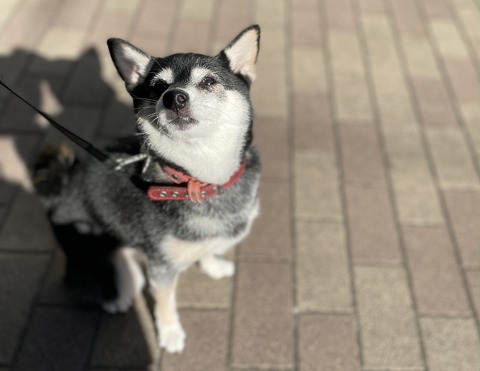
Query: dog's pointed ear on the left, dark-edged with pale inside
x=132 y=63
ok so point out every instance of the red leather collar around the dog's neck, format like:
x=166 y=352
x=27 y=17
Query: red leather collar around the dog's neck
x=194 y=190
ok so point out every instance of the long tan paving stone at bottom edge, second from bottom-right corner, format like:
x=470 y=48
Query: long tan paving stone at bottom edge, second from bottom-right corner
x=389 y=336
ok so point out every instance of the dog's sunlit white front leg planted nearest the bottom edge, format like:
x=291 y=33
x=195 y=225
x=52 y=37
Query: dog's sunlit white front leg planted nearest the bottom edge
x=170 y=331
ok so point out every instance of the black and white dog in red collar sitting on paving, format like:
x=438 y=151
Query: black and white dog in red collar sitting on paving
x=185 y=190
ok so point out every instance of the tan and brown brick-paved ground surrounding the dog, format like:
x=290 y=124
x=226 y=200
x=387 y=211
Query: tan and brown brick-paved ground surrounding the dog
x=366 y=256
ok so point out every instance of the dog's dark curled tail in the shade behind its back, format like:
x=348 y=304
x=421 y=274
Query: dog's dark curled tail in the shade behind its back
x=51 y=171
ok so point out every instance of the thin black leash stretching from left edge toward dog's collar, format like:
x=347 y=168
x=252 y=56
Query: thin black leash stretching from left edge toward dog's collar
x=82 y=143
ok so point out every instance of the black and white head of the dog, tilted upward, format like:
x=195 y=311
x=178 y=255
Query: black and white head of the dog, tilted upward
x=194 y=110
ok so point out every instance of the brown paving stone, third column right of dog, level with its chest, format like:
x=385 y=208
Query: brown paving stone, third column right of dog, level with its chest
x=373 y=235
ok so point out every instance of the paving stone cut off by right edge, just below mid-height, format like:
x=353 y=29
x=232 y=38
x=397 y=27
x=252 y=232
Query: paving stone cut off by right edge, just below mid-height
x=464 y=213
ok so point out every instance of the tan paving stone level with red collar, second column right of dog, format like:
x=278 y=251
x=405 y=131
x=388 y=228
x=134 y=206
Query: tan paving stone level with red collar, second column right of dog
x=317 y=194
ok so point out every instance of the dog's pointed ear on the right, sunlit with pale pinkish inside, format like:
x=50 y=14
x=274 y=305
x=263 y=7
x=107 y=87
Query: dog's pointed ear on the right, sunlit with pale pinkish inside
x=242 y=52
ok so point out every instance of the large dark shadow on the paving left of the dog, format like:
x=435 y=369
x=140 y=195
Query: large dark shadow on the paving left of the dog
x=76 y=95
